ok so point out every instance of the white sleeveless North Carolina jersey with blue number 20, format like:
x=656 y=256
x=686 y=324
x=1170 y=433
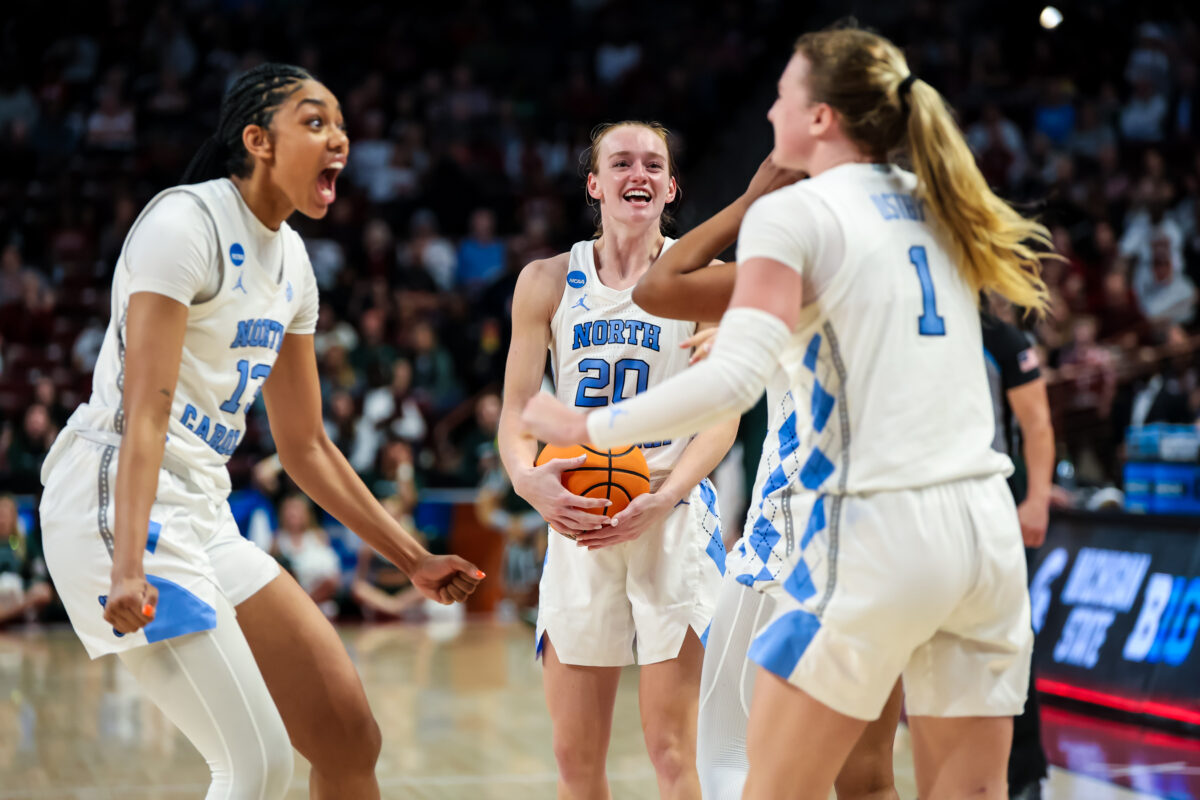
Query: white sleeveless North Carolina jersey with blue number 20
x=604 y=348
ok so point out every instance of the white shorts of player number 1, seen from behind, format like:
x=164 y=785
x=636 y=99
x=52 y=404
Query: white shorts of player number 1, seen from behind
x=928 y=584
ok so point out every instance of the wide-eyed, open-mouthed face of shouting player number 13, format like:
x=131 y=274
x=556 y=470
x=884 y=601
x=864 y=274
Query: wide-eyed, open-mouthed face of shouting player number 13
x=305 y=148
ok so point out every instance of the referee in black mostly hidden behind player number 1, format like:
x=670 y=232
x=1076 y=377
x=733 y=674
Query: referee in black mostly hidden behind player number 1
x=1025 y=435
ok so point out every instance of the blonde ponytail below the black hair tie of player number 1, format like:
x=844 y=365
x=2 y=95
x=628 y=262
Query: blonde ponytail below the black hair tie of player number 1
x=997 y=249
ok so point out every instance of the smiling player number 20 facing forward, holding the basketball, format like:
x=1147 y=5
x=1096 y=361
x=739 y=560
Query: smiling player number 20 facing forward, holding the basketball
x=651 y=576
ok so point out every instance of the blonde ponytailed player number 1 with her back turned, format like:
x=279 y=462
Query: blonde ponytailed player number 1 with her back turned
x=884 y=530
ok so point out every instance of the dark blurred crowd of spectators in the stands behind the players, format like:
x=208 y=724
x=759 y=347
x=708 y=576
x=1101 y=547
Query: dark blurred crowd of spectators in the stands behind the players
x=465 y=166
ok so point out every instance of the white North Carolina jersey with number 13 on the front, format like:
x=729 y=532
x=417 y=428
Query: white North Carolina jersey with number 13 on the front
x=231 y=344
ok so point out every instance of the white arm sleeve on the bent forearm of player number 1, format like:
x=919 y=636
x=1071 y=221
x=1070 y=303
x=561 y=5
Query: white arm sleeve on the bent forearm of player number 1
x=724 y=386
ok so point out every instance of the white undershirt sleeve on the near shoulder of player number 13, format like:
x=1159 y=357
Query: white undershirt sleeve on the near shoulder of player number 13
x=172 y=252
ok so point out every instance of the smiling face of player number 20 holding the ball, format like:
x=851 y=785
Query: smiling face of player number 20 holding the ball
x=632 y=176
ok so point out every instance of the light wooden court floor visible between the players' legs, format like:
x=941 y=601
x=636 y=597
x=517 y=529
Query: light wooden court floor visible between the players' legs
x=460 y=707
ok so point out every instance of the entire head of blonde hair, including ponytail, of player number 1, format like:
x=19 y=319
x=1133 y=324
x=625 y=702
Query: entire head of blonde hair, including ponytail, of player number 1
x=866 y=80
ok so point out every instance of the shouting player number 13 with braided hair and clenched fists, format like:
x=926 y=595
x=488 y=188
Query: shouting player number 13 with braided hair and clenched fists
x=214 y=299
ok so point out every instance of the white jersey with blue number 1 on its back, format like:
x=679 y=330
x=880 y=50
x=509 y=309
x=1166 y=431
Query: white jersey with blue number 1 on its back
x=883 y=386
